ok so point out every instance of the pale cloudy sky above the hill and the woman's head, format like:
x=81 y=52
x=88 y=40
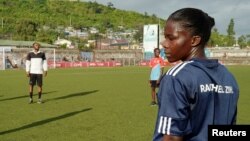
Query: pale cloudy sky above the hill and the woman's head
x=221 y=10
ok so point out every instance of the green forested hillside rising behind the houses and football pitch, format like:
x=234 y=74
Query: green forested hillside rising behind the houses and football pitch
x=20 y=17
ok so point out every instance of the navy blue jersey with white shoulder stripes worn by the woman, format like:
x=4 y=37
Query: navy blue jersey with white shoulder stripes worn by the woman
x=193 y=95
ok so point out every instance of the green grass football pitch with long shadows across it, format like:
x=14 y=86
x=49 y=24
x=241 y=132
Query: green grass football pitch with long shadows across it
x=86 y=104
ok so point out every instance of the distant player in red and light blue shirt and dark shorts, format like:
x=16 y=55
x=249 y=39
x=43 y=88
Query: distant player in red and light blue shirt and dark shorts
x=156 y=64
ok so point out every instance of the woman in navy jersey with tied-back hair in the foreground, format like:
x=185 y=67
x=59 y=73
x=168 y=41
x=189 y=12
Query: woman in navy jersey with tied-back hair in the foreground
x=198 y=91
